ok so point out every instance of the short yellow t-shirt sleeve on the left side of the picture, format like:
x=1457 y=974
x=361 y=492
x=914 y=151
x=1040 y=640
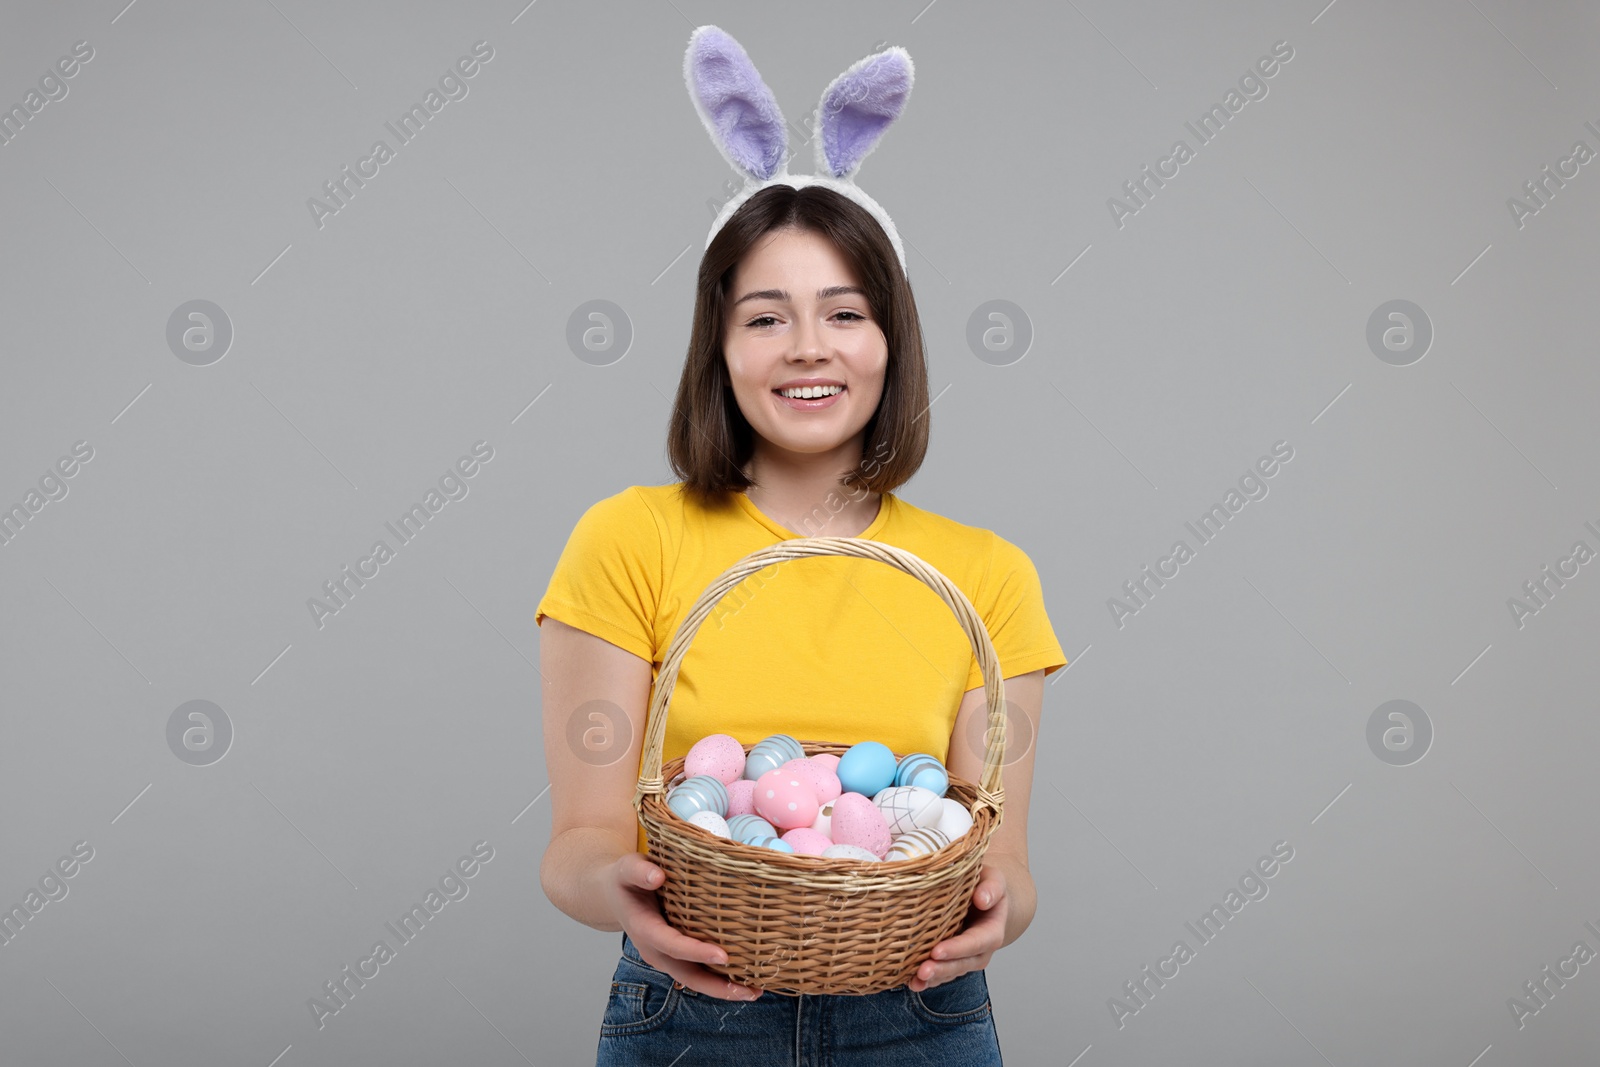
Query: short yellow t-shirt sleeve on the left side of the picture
x=609 y=578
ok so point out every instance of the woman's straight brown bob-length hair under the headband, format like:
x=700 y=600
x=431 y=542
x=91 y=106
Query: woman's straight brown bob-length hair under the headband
x=710 y=441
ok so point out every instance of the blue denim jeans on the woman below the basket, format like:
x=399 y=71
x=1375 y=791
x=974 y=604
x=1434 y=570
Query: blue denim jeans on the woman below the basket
x=650 y=1023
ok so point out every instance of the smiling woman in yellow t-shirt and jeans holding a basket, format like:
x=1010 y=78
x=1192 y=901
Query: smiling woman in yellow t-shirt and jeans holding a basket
x=799 y=289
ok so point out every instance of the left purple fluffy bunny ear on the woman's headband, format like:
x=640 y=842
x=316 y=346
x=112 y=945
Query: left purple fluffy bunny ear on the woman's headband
x=737 y=108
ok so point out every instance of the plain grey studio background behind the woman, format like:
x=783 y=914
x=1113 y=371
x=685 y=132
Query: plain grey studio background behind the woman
x=369 y=356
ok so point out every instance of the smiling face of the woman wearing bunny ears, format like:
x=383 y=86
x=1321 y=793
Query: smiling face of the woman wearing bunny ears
x=796 y=313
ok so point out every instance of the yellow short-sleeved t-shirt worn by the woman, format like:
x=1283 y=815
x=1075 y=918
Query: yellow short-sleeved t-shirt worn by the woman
x=822 y=649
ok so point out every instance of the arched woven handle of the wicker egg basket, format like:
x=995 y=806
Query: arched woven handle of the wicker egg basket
x=991 y=793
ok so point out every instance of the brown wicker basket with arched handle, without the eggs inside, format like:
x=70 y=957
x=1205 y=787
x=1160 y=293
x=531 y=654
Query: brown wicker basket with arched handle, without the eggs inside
x=802 y=924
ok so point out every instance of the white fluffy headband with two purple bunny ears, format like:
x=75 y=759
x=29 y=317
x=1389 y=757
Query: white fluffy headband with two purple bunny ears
x=743 y=121
